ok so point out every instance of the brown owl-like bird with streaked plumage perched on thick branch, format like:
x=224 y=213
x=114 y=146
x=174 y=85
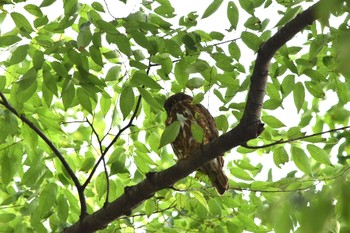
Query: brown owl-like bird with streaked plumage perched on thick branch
x=179 y=107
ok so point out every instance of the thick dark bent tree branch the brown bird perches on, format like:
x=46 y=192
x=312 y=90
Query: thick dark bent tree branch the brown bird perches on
x=247 y=129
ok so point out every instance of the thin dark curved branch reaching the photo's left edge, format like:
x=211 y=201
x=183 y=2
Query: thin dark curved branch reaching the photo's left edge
x=71 y=173
